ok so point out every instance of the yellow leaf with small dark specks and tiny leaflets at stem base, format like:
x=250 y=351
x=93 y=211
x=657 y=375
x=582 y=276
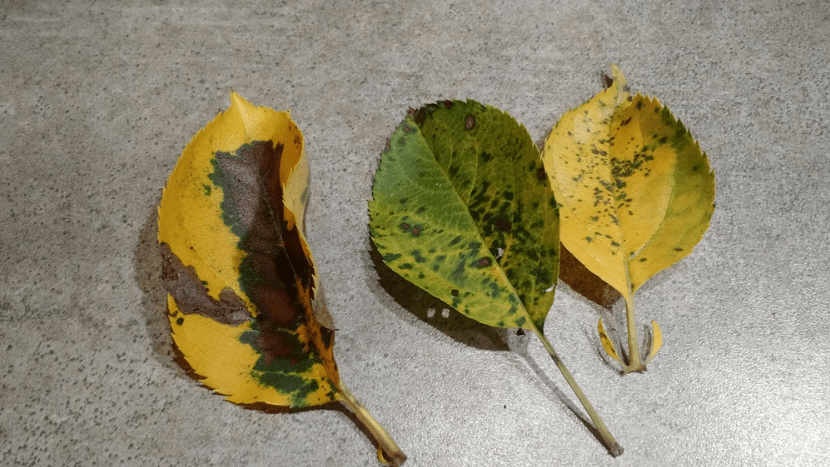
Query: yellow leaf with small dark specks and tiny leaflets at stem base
x=635 y=191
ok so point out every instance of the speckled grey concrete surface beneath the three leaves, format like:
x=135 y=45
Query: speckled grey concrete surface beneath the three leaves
x=97 y=100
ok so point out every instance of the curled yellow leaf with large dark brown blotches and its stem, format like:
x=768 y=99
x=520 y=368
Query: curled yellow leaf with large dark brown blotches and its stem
x=245 y=304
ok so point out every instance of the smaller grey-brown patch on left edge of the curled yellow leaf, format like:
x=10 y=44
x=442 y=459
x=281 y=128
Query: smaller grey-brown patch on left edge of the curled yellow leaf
x=191 y=295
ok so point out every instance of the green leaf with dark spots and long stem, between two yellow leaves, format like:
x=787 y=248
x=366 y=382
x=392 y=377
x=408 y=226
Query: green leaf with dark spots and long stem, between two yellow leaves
x=462 y=208
